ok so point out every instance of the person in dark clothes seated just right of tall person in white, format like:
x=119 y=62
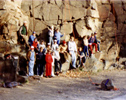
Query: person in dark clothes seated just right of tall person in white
x=81 y=57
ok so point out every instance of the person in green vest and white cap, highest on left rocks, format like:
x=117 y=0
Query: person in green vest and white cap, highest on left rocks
x=23 y=32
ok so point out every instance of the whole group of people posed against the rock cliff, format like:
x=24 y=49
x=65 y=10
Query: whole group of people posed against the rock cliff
x=54 y=53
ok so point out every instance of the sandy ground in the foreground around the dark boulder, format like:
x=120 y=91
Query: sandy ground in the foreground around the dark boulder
x=65 y=88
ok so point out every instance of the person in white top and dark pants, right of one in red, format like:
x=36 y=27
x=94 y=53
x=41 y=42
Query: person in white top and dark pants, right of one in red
x=57 y=61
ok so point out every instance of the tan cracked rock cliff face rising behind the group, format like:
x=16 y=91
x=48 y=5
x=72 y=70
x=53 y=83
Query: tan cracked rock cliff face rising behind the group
x=81 y=17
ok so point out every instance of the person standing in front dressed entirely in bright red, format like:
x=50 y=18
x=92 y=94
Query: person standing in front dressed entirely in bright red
x=49 y=60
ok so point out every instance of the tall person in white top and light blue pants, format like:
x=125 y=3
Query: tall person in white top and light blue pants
x=72 y=50
